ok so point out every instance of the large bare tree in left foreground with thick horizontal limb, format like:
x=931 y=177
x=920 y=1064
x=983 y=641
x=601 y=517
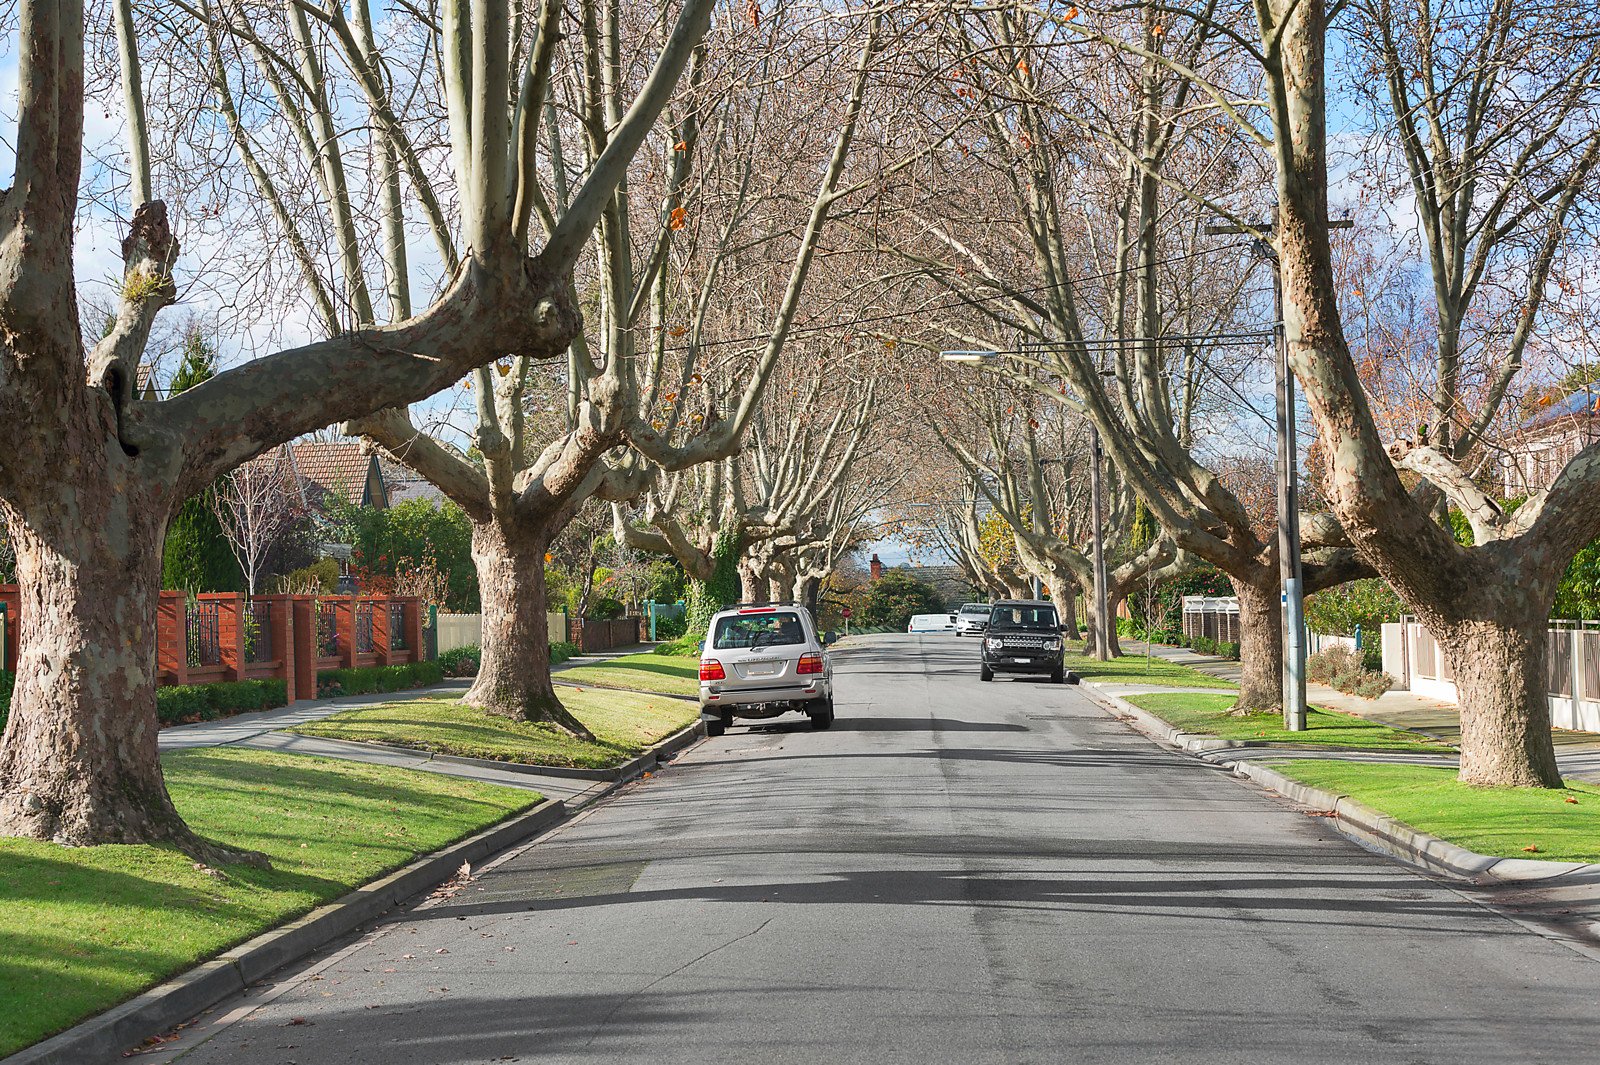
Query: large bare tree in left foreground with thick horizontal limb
x=94 y=473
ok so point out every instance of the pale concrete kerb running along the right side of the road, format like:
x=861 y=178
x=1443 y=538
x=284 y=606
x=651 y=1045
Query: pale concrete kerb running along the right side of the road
x=1356 y=821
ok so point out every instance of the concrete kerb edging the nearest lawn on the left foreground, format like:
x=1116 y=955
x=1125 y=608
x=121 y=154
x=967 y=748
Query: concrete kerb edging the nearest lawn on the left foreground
x=108 y=1037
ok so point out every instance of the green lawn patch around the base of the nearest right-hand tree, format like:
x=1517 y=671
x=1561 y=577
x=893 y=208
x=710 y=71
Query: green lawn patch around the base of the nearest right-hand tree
x=1503 y=823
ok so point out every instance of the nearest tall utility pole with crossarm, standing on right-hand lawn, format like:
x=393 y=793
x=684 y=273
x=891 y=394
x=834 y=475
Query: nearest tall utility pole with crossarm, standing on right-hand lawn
x=1290 y=575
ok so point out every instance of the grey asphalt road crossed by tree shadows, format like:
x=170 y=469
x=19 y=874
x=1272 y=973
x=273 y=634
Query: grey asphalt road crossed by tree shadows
x=958 y=872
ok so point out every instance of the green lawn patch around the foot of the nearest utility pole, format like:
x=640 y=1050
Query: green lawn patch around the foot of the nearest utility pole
x=1198 y=712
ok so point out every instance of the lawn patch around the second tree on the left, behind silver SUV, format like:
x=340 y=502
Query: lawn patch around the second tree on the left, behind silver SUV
x=623 y=724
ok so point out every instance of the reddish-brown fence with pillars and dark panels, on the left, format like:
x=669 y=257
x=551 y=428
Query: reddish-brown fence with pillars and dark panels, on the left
x=220 y=637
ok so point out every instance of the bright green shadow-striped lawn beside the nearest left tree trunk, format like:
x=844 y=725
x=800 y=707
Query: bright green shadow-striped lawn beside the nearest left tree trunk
x=87 y=928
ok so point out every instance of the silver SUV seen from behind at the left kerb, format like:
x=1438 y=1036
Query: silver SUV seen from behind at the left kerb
x=761 y=661
